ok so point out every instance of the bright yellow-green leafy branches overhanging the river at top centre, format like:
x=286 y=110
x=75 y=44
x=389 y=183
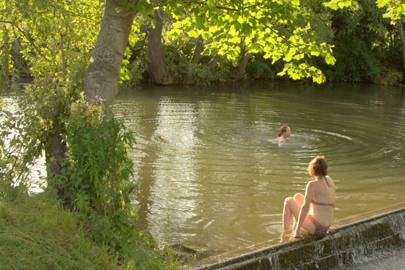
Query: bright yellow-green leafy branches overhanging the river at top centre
x=287 y=31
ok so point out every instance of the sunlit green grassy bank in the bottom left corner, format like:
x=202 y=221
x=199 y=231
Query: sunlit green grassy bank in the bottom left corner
x=36 y=233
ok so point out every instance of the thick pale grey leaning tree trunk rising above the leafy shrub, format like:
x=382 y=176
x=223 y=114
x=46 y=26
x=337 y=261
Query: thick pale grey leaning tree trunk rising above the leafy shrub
x=103 y=72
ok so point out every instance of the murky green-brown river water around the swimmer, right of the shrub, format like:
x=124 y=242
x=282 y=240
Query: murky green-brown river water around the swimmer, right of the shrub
x=209 y=178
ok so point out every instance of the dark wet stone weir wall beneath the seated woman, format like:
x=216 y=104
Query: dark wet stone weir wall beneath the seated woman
x=349 y=245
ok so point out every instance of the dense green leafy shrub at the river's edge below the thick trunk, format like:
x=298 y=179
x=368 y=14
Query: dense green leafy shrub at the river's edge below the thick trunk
x=97 y=173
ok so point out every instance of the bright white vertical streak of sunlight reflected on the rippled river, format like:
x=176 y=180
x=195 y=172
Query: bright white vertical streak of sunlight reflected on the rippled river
x=177 y=155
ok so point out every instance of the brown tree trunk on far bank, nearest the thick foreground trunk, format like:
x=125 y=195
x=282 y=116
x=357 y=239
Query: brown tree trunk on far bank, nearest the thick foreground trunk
x=156 y=65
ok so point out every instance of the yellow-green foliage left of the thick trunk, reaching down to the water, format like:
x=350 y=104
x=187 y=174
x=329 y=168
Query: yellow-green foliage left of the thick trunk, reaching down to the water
x=54 y=40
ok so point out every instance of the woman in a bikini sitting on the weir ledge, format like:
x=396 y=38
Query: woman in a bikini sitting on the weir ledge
x=314 y=211
